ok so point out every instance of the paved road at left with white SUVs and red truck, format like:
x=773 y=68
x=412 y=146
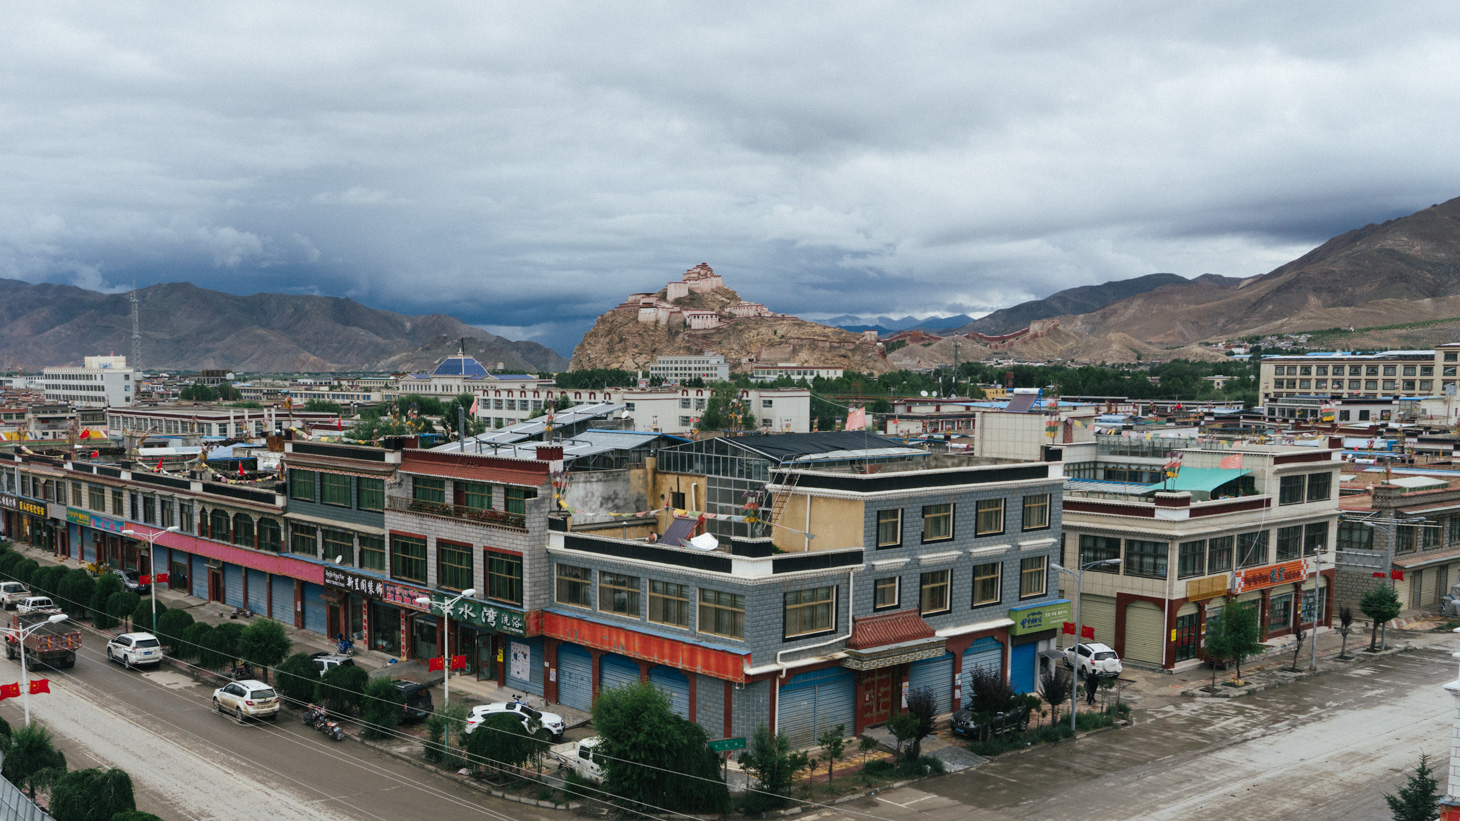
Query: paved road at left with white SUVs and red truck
x=189 y=763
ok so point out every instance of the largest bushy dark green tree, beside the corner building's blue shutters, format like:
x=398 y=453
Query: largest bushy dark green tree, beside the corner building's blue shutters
x=653 y=757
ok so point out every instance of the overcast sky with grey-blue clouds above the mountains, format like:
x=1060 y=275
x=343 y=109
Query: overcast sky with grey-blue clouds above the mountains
x=528 y=166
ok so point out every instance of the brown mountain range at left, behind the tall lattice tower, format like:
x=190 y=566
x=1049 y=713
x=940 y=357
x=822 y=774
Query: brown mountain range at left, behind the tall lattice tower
x=189 y=328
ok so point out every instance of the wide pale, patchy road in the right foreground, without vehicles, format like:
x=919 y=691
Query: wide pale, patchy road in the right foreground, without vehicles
x=1323 y=749
